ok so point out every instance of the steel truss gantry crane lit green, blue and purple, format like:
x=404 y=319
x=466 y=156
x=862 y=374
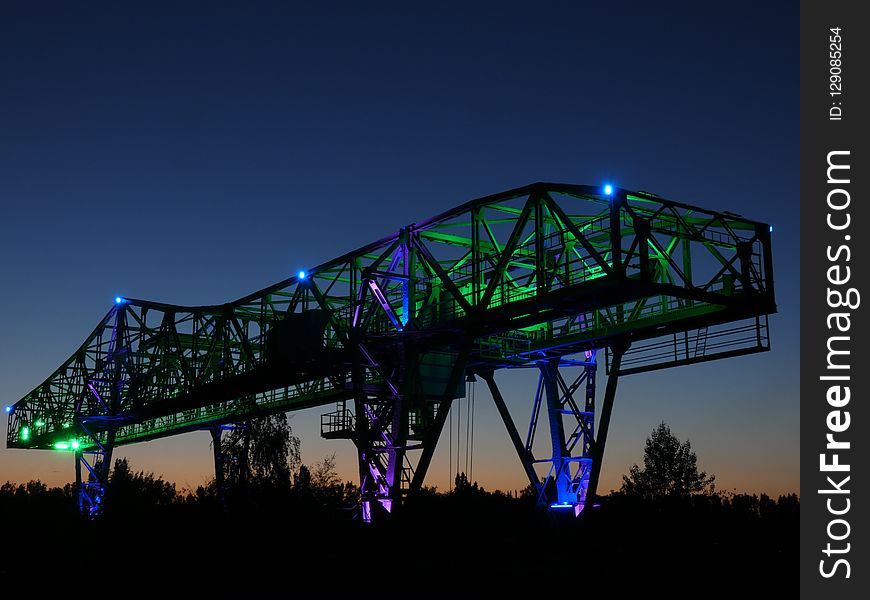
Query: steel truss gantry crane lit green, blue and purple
x=542 y=276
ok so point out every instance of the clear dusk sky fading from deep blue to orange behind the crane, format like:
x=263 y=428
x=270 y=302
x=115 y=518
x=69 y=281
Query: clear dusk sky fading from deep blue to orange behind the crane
x=195 y=157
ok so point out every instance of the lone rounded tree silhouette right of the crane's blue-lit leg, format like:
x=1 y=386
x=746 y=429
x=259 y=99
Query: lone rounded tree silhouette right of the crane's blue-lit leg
x=670 y=469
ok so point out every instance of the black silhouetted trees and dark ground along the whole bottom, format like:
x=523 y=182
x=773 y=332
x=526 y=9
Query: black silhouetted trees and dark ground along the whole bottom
x=278 y=528
